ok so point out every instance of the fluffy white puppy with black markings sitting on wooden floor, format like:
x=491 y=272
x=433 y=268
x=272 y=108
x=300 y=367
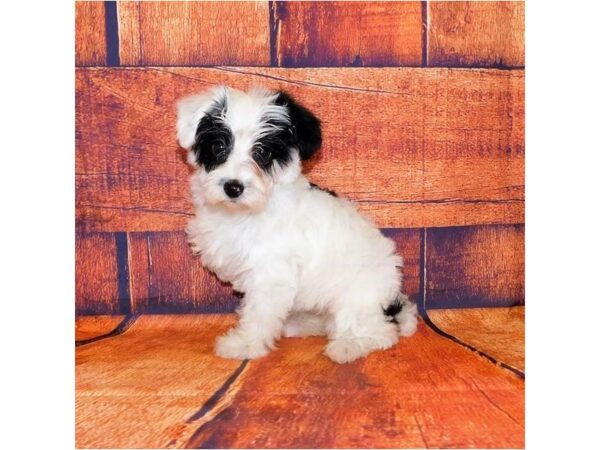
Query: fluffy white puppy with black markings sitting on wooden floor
x=307 y=261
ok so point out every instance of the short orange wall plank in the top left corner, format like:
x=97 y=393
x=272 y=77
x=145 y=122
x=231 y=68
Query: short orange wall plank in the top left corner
x=90 y=34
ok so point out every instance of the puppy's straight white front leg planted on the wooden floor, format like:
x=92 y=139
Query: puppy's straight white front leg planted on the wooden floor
x=262 y=316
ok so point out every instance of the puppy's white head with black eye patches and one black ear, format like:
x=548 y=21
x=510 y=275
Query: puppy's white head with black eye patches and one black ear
x=244 y=143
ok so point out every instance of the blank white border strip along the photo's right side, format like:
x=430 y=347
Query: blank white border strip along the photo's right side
x=562 y=225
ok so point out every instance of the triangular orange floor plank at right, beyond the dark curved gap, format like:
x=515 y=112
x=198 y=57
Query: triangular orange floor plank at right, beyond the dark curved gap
x=499 y=332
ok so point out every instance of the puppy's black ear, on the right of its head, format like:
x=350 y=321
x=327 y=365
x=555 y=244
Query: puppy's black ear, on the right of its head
x=305 y=126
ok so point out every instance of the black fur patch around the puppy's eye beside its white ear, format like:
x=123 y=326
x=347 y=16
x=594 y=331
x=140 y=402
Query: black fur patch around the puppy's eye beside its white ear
x=214 y=139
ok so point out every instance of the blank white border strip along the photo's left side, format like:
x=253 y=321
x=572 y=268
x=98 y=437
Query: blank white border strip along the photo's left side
x=37 y=185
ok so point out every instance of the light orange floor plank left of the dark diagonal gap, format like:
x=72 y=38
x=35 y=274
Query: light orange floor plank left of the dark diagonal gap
x=137 y=390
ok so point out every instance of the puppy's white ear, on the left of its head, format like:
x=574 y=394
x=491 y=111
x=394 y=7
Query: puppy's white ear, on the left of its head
x=190 y=111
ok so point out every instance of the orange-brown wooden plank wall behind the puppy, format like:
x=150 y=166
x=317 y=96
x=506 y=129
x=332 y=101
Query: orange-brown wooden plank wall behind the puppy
x=422 y=106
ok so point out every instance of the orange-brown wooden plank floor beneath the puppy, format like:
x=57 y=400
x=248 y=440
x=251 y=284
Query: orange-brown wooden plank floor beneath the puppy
x=155 y=383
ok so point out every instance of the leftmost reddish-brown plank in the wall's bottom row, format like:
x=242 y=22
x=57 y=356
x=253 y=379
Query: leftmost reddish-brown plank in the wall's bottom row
x=96 y=277
